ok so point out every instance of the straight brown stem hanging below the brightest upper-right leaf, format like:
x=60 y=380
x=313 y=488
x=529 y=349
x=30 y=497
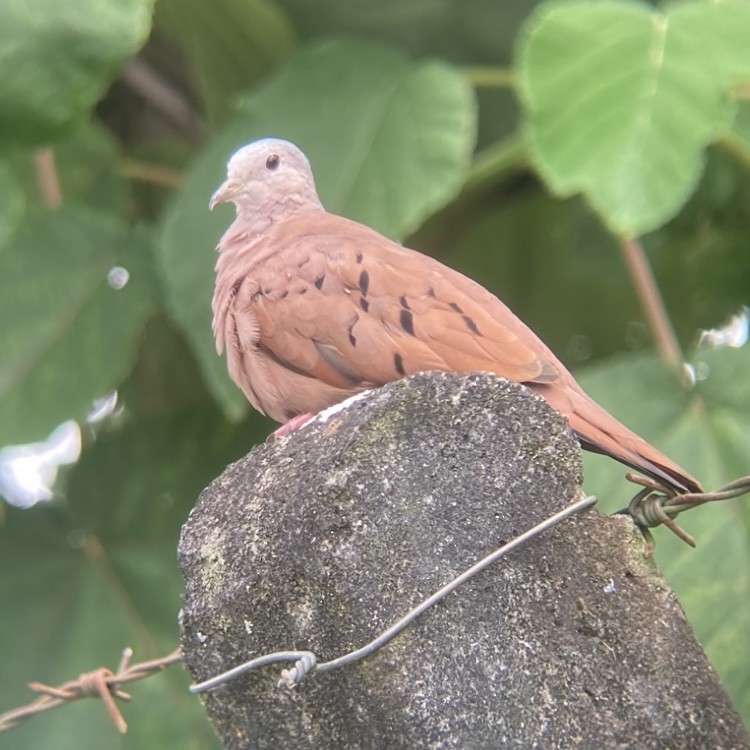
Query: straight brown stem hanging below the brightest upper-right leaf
x=651 y=301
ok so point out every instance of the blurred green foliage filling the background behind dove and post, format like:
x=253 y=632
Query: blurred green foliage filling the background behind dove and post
x=518 y=142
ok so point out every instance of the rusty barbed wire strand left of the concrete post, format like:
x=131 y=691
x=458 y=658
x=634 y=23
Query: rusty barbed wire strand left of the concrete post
x=99 y=683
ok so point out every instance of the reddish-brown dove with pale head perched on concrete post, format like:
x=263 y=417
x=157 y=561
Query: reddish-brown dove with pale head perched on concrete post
x=312 y=308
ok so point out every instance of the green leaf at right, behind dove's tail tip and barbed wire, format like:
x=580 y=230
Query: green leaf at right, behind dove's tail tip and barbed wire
x=707 y=431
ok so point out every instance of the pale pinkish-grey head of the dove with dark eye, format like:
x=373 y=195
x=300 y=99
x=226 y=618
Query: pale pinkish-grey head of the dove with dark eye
x=268 y=177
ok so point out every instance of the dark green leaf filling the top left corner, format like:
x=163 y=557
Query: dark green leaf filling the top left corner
x=57 y=59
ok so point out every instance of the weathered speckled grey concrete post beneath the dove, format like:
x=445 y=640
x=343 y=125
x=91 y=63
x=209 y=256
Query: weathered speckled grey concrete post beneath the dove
x=321 y=540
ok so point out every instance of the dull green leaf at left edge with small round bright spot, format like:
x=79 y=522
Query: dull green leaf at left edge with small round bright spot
x=68 y=335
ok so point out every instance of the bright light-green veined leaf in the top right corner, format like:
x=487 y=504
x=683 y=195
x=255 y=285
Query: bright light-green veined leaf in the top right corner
x=622 y=99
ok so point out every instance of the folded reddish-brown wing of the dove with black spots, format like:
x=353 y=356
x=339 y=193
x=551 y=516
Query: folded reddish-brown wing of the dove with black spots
x=343 y=306
